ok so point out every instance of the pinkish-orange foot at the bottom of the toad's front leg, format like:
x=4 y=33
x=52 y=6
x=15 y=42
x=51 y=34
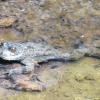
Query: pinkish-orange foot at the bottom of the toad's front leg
x=23 y=82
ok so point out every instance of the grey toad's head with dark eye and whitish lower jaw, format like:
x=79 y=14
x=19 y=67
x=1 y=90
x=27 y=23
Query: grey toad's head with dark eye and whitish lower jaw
x=11 y=51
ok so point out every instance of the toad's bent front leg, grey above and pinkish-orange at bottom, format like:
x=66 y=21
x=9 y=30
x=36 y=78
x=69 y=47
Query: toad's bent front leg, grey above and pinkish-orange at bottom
x=24 y=83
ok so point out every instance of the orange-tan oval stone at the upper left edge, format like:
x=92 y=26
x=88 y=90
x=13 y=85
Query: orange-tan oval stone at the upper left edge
x=6 y=22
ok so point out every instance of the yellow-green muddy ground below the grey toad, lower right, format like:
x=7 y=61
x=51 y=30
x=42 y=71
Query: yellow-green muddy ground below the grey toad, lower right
x=81 y=81
